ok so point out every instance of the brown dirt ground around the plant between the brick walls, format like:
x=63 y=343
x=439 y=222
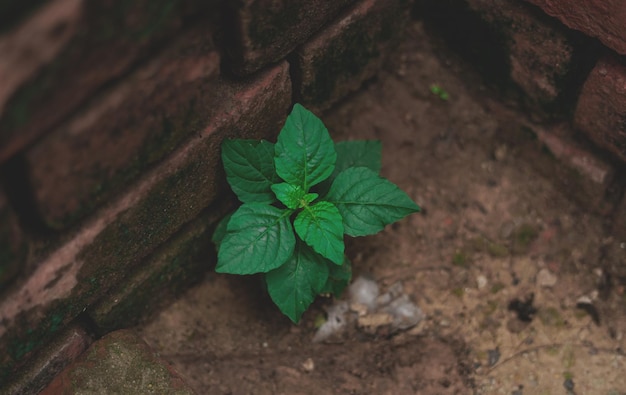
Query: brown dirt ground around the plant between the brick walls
x=505 y=267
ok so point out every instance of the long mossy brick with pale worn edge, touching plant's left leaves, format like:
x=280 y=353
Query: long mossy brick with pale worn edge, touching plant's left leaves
x=99 y=254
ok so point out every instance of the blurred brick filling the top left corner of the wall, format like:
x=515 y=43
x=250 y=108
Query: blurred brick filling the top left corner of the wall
x=69 y=49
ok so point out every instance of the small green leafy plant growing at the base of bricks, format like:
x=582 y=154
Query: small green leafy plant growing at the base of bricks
x=300 y=196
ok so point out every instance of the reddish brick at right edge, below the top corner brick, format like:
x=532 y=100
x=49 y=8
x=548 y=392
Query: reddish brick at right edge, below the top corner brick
x=601 y=109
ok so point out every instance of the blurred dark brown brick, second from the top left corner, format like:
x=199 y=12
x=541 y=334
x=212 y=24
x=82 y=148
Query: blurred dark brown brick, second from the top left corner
x=126 y=130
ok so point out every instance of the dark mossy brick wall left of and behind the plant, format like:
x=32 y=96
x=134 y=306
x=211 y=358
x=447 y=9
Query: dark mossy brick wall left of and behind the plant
x=111 y=118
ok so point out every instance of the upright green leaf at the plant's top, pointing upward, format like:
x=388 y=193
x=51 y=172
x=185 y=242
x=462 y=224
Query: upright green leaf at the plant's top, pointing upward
x=305 y=153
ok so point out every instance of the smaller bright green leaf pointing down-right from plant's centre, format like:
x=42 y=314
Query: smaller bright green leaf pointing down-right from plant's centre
x=321 y=227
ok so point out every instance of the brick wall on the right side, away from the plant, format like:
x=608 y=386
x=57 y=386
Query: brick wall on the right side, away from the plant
x=562 y=62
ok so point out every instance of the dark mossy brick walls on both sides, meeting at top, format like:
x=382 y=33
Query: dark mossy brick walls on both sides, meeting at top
x=112 y=114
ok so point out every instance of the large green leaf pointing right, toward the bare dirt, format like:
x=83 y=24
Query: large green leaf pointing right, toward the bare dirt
x=368 y=202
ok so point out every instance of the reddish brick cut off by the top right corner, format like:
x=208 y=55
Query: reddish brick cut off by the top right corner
x=603 y=19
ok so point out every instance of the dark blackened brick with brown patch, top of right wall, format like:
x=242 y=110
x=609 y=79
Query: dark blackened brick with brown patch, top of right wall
x=518 y=48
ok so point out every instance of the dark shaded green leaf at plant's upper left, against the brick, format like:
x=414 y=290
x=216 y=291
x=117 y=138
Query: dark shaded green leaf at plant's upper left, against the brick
x=249 y=166
